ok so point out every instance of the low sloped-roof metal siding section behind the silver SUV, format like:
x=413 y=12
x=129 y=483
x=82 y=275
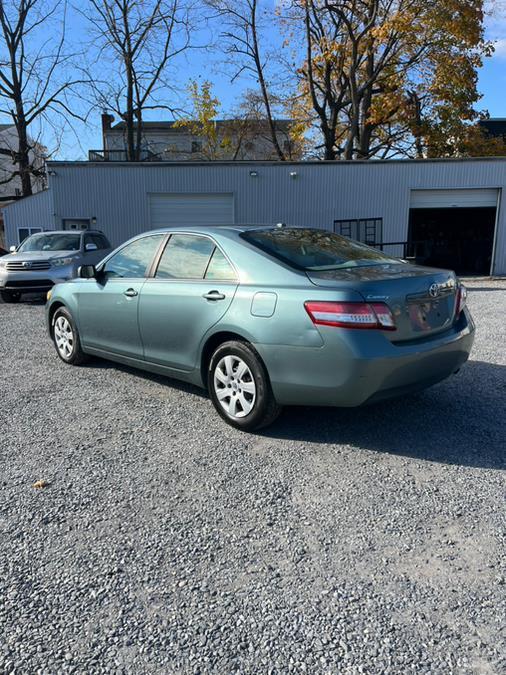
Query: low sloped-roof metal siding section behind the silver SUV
x=33 y=211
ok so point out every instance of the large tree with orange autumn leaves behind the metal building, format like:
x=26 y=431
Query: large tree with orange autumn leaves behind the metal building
x=385 y=78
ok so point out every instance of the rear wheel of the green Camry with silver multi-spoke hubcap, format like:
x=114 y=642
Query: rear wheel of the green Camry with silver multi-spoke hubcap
x=239 y=387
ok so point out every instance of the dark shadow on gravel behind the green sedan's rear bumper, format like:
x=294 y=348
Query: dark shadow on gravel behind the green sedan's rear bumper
x=461 y=421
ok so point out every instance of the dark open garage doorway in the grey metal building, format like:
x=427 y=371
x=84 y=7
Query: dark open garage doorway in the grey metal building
x=459 y=239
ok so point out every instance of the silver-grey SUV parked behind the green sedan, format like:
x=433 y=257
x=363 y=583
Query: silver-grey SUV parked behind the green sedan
x=46 y=258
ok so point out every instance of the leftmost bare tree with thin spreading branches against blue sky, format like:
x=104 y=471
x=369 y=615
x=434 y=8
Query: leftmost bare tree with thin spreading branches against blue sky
x=34 y=80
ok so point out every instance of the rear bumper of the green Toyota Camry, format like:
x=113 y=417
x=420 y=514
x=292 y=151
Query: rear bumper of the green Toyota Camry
x=358 y=367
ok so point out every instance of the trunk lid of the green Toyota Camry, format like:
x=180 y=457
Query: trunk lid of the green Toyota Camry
x=421 y=299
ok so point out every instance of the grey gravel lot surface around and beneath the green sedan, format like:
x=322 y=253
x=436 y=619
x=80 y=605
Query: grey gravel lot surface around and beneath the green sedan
x=350 y=541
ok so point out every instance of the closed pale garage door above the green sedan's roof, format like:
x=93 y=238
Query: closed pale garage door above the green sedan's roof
x=191 y=209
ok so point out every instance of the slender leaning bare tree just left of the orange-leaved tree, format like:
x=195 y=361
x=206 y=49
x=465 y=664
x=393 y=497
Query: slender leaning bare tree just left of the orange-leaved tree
x=242 y=36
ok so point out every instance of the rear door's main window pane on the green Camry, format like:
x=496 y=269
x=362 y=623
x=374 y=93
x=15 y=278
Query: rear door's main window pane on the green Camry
x=186 y=256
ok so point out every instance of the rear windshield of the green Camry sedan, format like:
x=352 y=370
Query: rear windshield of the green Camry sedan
x=315 y=250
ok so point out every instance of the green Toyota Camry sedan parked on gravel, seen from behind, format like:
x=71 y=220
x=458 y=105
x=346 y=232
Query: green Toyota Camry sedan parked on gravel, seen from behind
x=265 y=317
